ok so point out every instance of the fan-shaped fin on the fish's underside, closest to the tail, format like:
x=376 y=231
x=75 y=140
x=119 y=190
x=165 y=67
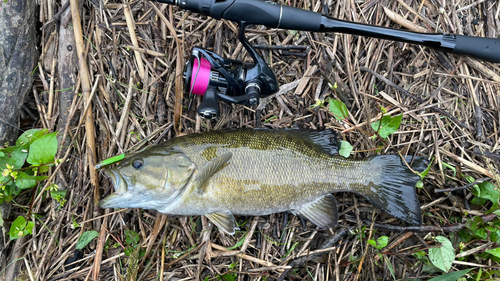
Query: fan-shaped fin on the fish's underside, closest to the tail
x=322 y=212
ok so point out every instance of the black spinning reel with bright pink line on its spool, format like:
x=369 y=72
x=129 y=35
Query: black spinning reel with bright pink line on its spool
x=215 y=78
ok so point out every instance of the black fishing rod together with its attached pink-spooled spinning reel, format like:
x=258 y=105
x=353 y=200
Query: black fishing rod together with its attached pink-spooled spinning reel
x=208 y=74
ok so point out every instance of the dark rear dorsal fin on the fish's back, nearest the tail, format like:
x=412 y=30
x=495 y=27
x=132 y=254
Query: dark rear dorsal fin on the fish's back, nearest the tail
x=326 y=140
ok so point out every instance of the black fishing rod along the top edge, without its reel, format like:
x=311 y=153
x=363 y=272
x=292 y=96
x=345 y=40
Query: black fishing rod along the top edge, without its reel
x=275 y=15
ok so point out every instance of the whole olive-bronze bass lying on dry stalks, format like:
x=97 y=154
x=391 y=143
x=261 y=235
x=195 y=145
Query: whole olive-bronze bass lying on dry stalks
x=256 y=172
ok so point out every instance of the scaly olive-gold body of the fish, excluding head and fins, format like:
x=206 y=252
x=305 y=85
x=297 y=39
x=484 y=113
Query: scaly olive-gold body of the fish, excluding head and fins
x=267 y=174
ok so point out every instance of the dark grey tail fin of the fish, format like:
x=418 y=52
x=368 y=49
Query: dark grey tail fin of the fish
x=396 y=193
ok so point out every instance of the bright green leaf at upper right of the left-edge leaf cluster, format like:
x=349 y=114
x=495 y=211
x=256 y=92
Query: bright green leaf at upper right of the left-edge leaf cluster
x=43 y=150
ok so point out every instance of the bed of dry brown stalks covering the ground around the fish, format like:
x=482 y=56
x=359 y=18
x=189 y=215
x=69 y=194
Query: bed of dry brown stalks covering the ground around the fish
x=134 y=52
